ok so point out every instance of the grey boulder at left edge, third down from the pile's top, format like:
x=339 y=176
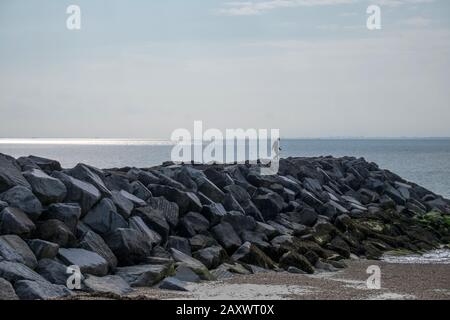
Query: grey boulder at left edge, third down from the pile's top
x=15 y=221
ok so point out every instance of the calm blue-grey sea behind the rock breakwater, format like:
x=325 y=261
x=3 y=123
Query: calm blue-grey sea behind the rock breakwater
x=424 y=161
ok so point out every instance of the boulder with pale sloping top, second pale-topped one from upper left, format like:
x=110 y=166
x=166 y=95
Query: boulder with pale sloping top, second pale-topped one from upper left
x=83 y=193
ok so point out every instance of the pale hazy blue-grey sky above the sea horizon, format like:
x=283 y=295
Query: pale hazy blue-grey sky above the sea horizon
x=141 y=69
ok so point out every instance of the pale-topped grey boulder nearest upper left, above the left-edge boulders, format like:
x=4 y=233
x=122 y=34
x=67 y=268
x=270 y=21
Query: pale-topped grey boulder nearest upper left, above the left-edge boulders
x=46 y=188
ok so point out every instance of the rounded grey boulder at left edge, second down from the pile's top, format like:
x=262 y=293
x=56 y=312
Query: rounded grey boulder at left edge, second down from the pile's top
x=22 y=198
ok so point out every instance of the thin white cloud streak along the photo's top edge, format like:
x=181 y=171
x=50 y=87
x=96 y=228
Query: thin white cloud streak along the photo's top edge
x=251 y=8
